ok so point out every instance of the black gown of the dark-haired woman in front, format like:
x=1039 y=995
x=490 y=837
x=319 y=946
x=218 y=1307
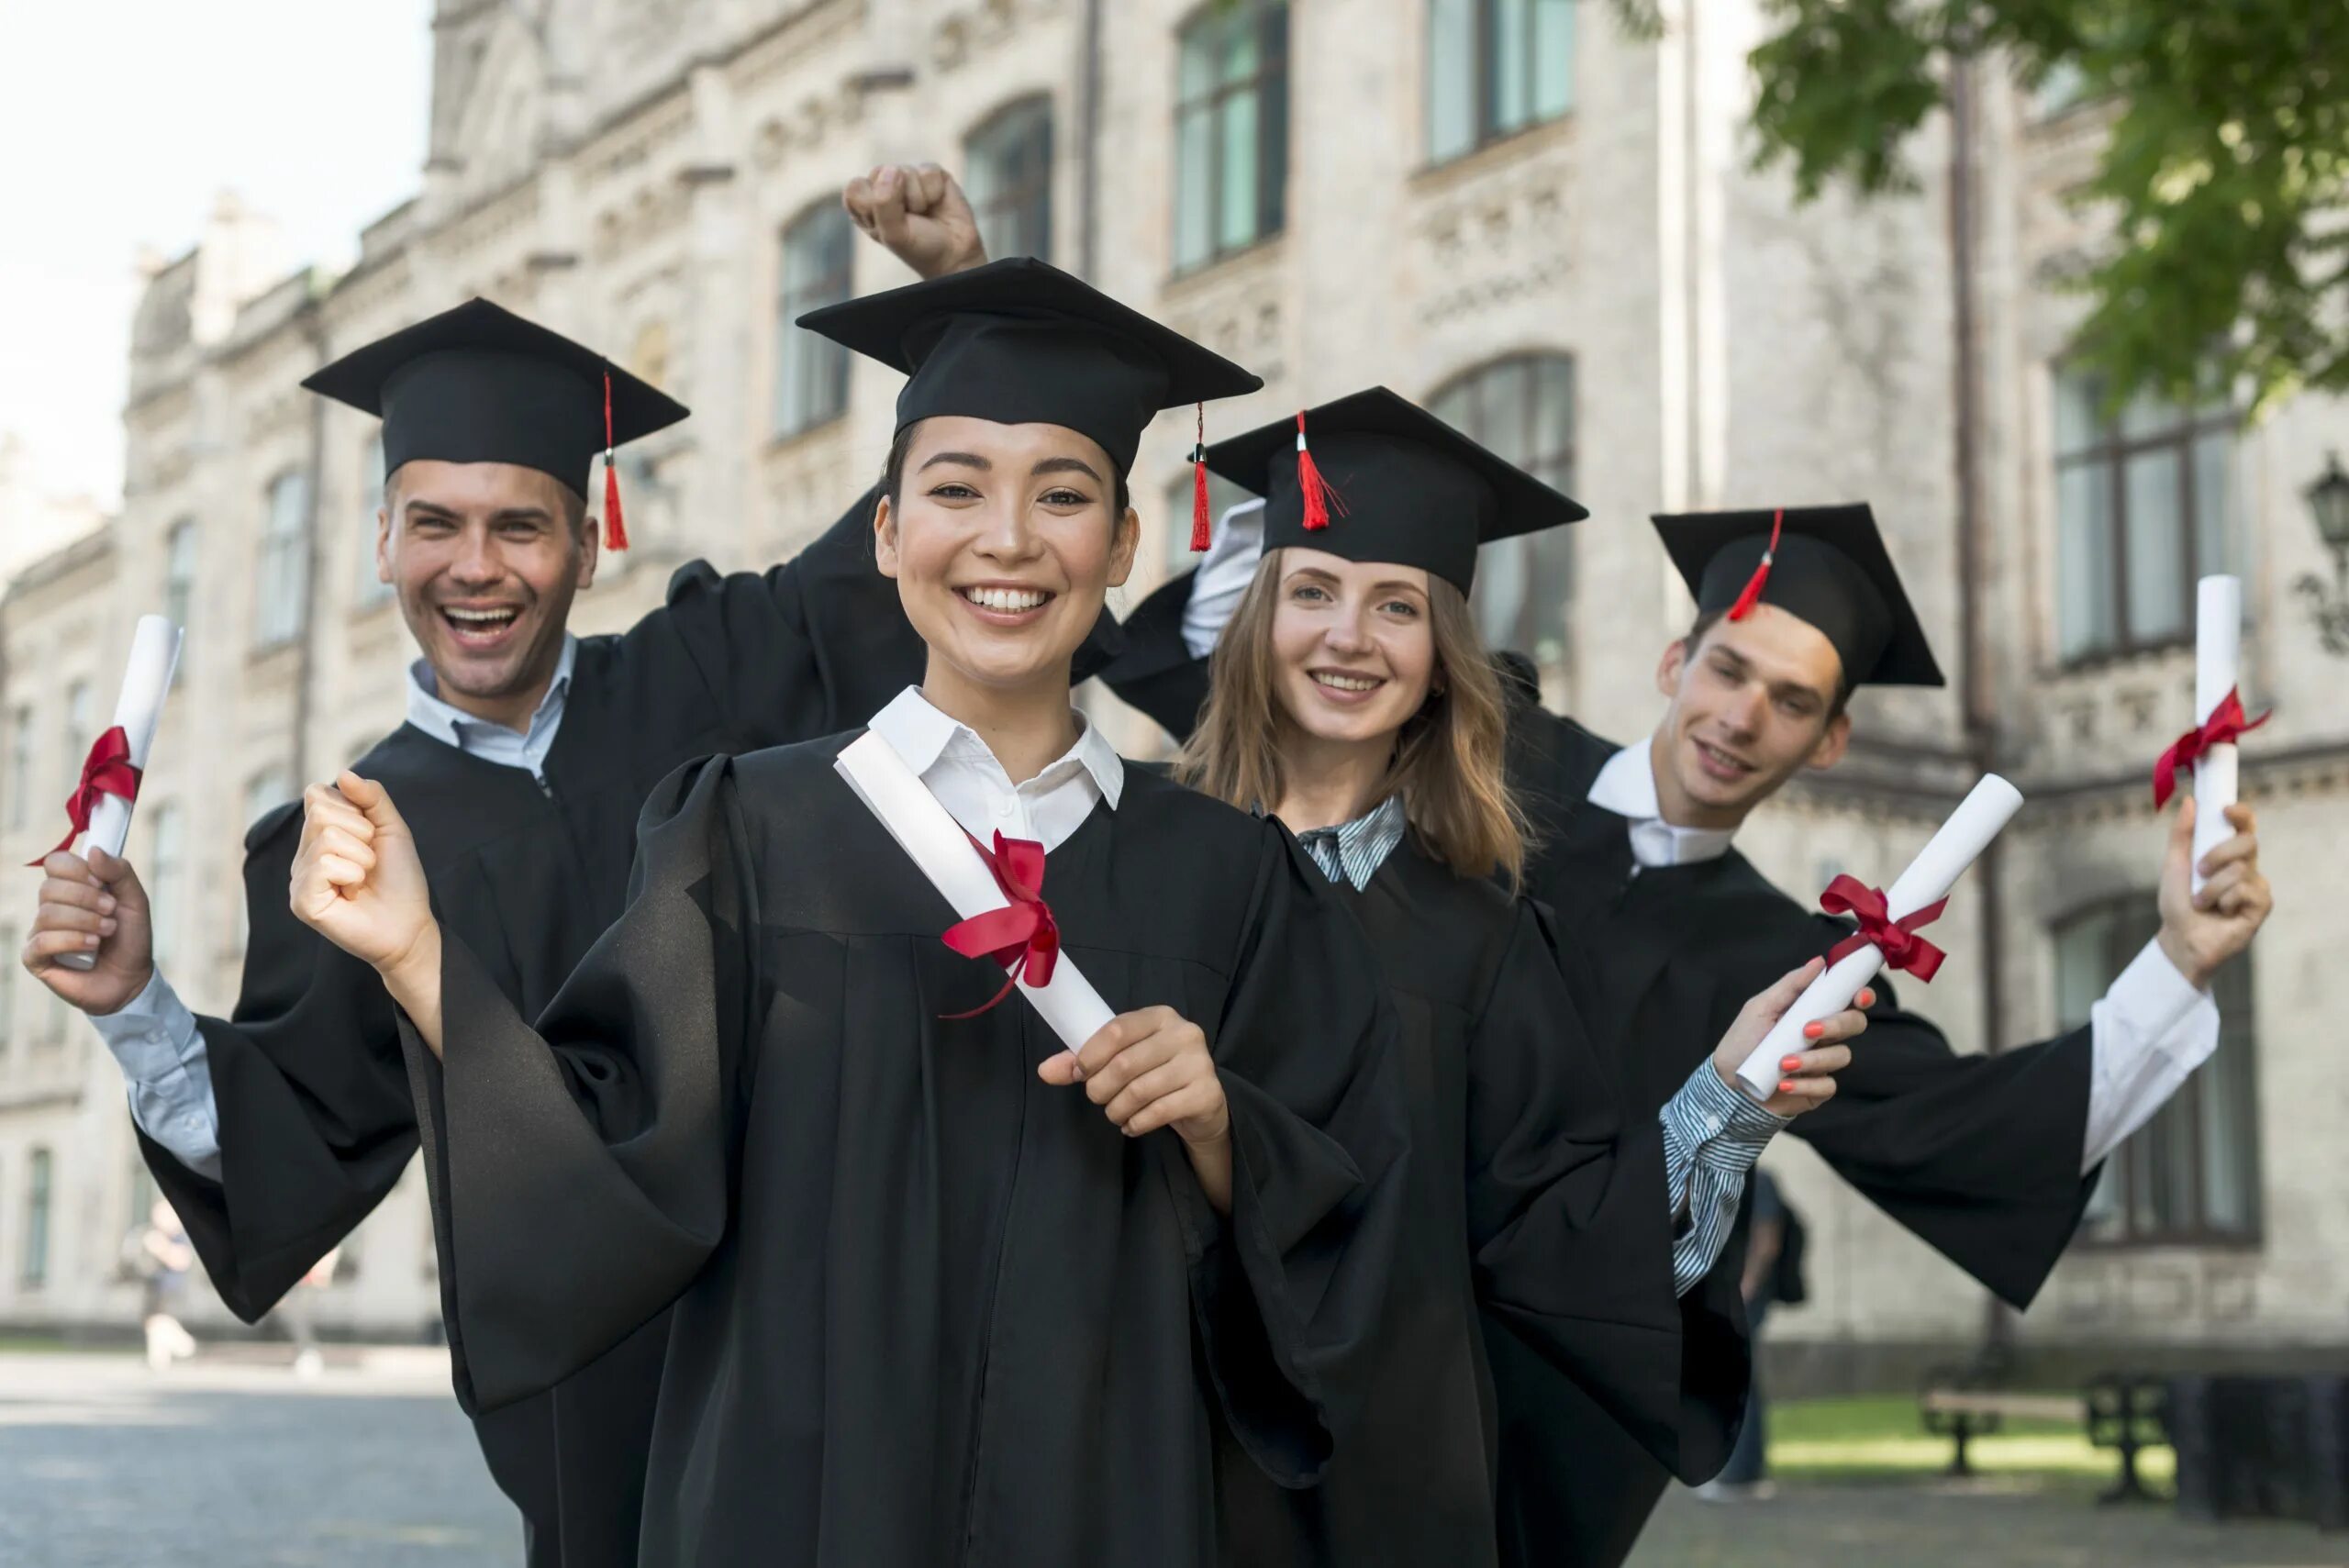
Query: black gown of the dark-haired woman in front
x=927 y=1309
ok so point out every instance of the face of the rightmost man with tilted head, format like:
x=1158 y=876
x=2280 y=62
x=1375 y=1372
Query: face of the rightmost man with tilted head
x=1754 y=705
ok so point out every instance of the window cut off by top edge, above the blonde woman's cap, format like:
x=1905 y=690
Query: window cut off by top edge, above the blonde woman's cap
x=1495 y=69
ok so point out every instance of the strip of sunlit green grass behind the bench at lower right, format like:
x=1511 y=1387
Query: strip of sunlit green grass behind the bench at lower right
x=1883 y=1440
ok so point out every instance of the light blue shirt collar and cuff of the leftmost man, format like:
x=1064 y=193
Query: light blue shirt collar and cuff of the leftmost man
x=156 y=1039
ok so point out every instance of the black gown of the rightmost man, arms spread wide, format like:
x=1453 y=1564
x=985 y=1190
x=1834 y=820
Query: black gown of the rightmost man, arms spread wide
x=1974 y=1154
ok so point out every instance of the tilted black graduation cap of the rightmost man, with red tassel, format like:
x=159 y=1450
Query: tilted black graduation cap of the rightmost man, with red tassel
x=1822 y=565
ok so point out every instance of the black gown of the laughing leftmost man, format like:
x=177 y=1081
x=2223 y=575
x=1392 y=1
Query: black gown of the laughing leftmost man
x=311 y=1088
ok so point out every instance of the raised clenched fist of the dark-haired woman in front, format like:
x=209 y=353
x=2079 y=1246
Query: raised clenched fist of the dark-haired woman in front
x=361 y=884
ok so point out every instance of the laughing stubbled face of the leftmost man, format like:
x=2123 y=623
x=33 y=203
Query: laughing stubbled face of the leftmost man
x=485 y=560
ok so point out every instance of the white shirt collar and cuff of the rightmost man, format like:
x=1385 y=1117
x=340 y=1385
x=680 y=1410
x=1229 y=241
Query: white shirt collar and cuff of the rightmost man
x=2146 y=1034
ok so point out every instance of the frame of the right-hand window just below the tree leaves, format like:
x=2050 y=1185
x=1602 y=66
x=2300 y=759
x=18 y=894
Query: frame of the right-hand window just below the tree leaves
x=2111 y=452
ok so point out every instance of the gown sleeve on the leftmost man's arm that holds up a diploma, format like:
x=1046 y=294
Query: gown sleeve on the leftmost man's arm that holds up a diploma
x=314 y=1102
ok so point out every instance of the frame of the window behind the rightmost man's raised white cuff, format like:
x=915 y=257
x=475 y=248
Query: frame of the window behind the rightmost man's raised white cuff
x=2134 y=1161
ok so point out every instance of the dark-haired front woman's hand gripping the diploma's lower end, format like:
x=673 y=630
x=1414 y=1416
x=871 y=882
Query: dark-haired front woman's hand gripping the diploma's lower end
x=1152 y=1069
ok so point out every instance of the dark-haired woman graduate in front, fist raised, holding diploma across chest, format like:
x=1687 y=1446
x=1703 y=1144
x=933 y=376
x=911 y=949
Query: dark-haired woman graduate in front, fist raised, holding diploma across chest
x=945 y=1290
